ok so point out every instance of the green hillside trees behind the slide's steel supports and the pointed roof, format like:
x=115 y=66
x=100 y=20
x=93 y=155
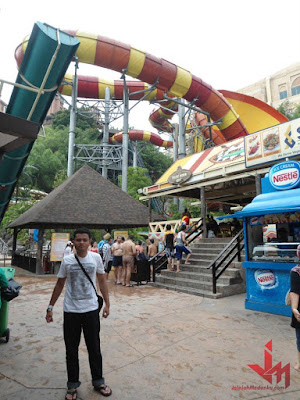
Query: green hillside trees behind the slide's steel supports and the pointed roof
x=49 y=156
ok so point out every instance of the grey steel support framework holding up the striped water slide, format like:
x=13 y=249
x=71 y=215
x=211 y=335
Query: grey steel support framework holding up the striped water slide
x=111 y=160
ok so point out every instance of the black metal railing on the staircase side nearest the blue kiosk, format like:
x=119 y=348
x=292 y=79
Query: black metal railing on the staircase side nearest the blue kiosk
x=225 y=258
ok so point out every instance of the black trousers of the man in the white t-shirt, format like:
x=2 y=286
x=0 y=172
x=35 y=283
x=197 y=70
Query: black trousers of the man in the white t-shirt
x=89 y=322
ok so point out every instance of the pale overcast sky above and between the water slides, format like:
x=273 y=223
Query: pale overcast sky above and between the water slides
x=229 y=44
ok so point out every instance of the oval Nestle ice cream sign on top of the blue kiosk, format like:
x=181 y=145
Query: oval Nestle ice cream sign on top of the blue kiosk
x=285 y=175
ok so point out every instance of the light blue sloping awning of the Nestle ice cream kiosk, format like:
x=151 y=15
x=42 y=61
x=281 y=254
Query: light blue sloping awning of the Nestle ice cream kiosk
x=271 y=203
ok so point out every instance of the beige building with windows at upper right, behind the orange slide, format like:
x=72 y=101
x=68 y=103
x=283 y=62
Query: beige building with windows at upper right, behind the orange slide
x=277 y=88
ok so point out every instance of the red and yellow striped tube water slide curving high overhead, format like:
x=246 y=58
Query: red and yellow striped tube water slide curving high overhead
x=236 y=114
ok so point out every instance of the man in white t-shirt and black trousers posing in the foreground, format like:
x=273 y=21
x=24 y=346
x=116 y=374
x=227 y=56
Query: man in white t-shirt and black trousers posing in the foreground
x=81 y=311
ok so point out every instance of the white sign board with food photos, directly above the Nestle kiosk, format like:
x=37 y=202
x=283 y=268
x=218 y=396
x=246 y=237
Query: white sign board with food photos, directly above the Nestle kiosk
x=272 y=144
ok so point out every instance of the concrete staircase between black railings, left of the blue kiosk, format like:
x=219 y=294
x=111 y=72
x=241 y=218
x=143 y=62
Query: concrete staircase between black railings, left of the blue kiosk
x=197 y=279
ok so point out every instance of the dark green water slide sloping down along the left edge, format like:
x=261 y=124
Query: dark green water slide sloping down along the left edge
x=46 y=60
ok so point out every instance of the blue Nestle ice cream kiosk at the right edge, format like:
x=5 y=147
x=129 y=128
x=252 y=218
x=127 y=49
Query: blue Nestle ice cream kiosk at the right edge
x=271 y=225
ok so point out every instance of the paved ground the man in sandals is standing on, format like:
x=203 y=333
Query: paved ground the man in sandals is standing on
x=156 y=344
